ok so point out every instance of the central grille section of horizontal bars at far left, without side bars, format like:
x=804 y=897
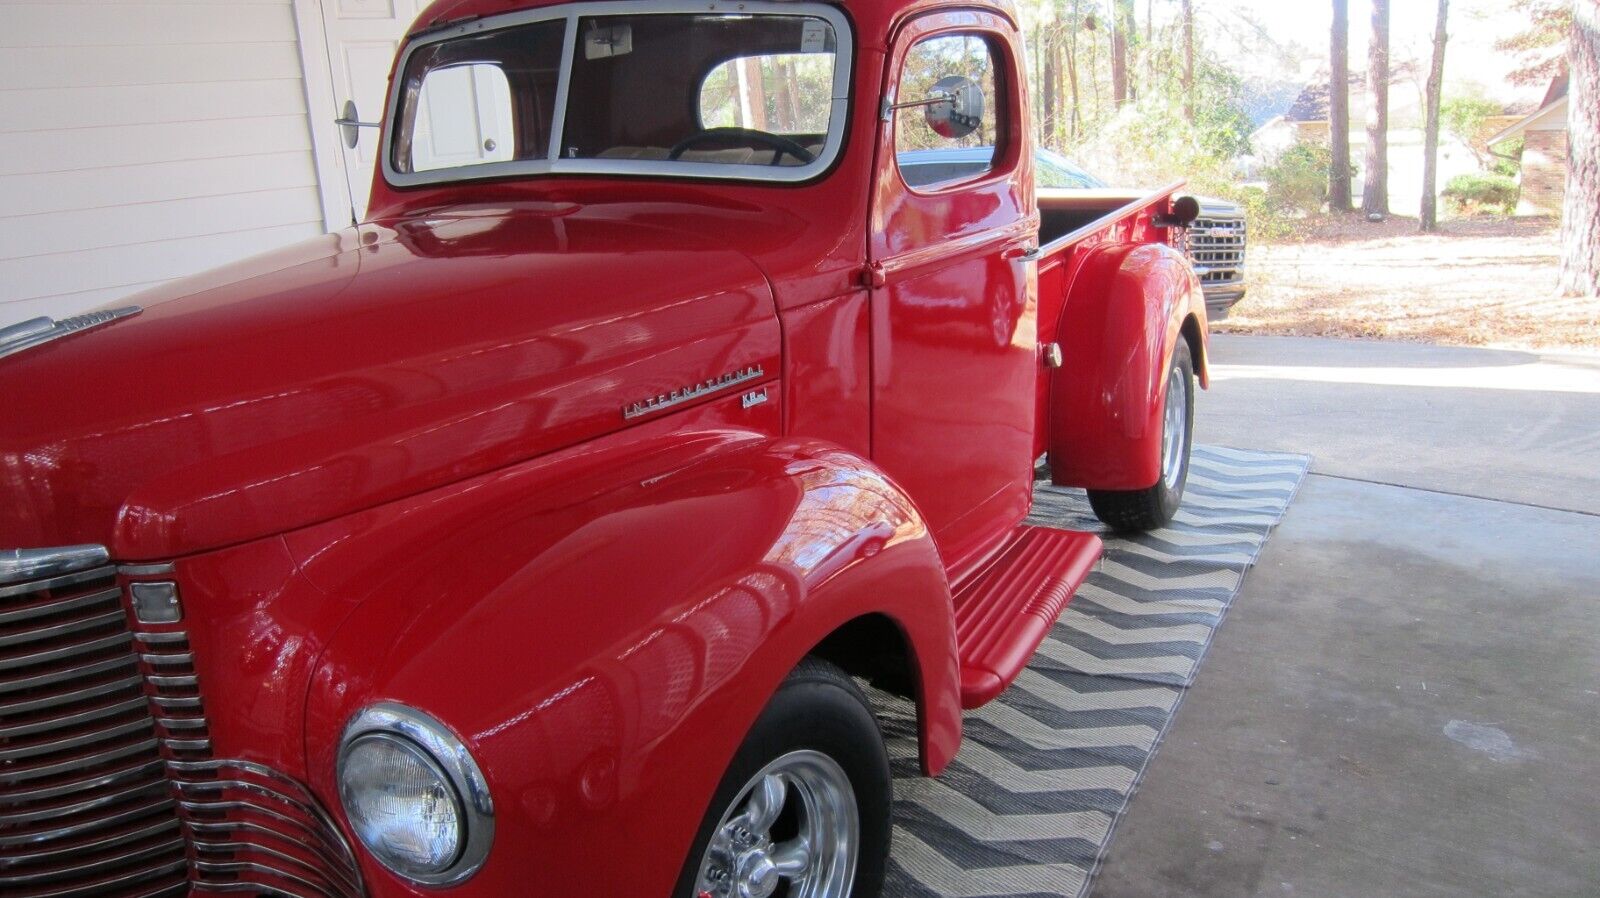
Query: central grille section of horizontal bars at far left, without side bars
x=86 y=808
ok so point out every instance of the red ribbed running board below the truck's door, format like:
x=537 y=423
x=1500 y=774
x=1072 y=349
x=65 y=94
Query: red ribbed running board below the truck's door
x=1004 y=612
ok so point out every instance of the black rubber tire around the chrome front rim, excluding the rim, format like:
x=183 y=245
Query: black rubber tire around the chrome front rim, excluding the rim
x=822 y=710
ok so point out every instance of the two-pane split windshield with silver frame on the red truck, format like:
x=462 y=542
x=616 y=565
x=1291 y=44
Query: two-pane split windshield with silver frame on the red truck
x=754 y=95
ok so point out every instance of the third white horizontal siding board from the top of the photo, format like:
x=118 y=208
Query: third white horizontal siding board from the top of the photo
x=89 y=108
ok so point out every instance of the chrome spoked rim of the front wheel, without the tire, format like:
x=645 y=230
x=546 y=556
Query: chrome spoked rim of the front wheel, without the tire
x=793 y=827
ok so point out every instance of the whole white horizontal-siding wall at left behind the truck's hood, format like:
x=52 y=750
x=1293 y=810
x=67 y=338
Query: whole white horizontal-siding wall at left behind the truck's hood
x=145 y=142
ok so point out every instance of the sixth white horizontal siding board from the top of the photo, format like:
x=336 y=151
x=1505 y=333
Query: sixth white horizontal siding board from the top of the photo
x=118 y=227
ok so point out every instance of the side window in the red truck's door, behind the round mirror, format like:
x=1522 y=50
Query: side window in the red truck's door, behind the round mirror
x=945 y=135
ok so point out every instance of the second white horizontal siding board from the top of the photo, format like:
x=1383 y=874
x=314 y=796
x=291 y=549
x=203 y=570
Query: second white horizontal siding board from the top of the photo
x=151 y=65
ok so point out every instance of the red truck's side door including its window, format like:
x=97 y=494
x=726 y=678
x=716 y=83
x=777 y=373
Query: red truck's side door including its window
x=954 y=331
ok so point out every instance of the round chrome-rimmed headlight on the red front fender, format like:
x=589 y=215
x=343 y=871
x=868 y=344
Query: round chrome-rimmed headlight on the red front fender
x=415 y=796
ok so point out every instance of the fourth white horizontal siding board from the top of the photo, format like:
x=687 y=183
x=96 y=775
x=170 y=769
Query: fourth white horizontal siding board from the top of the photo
x=36 y=153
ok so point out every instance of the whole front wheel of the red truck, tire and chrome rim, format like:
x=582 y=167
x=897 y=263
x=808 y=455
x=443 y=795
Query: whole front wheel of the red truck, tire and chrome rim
x=804 y=809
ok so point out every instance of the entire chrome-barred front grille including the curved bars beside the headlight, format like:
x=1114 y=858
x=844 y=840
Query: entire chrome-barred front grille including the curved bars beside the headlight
x=108 y=782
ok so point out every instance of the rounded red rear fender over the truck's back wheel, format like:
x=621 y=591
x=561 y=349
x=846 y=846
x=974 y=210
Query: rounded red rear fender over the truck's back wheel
x=1126 y=313
